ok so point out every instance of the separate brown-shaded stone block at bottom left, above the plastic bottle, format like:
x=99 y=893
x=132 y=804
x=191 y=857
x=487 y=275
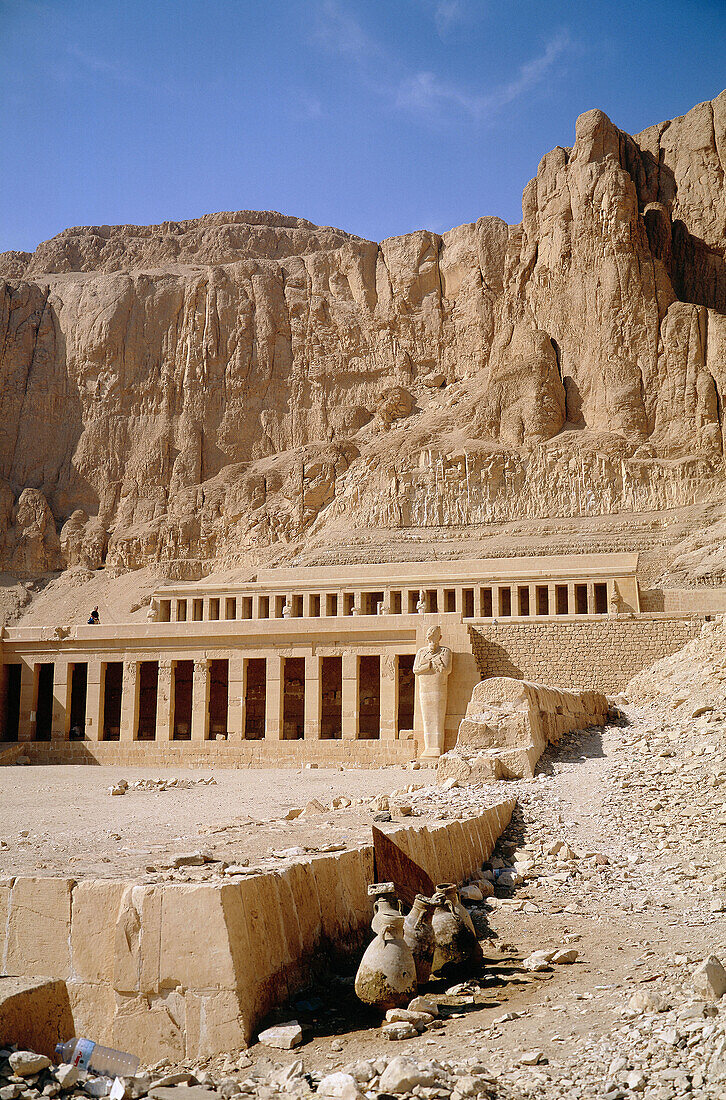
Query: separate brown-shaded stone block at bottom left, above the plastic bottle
x=35 y=1014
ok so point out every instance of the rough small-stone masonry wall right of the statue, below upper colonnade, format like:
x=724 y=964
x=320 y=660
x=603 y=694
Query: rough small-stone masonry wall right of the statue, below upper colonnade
x=600 y=655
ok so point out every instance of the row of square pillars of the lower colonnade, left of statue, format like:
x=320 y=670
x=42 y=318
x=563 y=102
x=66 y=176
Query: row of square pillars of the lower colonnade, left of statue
x=201 y=699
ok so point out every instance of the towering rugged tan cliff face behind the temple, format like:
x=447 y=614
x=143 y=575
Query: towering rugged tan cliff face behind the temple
x=194 y=393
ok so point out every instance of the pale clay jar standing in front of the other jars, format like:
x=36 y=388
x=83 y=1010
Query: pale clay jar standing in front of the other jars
x=387 y=976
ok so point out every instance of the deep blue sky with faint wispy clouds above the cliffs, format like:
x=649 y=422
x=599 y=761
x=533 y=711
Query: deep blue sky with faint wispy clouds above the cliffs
x=377 y=116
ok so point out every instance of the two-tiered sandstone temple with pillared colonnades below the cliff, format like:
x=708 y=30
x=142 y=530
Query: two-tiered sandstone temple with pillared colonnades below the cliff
x=315 y=654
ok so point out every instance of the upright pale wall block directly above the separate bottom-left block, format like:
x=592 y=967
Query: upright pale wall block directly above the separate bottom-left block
x=39 y=928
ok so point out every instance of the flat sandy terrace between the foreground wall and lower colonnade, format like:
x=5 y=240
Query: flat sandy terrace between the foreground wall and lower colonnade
x=63 y=820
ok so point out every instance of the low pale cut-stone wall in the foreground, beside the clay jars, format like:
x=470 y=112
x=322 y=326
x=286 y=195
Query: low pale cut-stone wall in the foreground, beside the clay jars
x=186 y=971
